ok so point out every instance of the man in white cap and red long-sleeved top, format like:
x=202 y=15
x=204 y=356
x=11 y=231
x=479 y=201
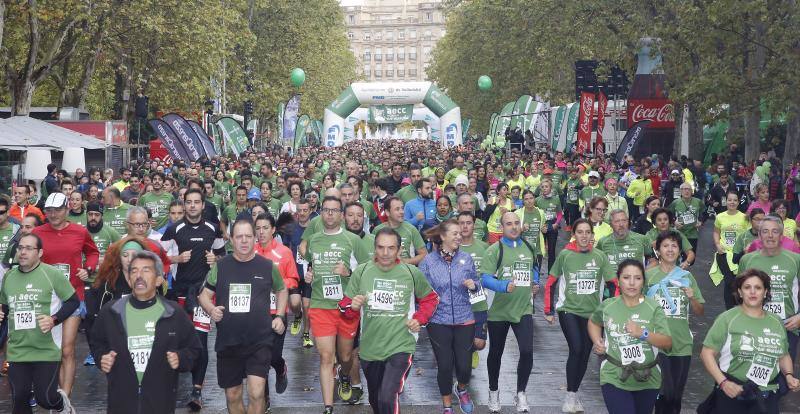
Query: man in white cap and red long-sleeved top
x=70 y=248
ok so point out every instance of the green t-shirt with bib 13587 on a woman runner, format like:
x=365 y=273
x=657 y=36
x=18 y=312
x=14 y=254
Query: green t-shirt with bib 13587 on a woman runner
x=582 y=276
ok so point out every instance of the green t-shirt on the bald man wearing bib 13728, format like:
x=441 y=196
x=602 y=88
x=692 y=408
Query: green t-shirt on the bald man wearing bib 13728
x=516 y=266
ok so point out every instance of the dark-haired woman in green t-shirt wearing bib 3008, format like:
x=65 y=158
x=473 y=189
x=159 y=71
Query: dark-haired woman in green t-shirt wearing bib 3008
x=635 y=329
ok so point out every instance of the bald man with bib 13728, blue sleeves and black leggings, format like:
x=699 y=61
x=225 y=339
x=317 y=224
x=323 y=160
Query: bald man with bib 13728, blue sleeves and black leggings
x=510 y=268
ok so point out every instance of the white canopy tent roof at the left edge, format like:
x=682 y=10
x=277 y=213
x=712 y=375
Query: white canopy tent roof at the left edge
x=20 y=133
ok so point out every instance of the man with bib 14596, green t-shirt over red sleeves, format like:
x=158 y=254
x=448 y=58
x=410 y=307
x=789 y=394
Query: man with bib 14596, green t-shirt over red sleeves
x=394 y=300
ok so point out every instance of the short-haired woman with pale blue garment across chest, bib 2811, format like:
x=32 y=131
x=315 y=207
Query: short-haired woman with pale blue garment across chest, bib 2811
x=675 y=290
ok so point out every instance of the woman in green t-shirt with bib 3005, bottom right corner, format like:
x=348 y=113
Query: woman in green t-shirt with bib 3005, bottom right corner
x=752 y=348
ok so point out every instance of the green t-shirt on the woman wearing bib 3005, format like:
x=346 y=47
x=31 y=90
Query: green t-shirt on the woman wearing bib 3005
x=749 y=347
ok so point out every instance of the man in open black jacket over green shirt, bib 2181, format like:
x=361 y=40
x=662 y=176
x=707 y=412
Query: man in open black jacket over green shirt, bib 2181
x=142 y=341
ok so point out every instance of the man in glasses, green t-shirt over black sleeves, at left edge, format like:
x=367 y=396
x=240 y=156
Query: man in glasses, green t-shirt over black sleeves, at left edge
x=36 y=298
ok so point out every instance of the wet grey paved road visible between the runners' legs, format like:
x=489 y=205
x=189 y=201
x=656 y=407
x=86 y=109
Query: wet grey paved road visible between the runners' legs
x=545 y=390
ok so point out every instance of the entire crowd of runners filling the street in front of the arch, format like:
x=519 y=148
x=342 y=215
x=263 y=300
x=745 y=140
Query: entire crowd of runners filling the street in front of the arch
x=357 y=249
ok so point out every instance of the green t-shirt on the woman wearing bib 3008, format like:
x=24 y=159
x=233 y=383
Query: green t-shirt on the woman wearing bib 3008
x=612 y=315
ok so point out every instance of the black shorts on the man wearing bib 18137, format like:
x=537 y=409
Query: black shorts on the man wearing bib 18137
x=235 y=363
